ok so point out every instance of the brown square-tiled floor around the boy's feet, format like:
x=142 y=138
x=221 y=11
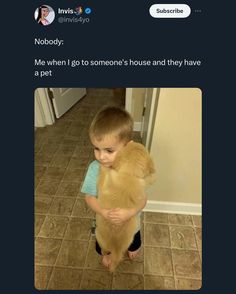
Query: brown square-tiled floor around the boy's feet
x=65 y=257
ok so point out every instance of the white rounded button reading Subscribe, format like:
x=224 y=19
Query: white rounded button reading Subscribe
x=170 y=10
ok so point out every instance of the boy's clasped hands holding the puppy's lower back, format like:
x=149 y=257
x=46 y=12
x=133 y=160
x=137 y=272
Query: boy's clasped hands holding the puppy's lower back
x=119 y=216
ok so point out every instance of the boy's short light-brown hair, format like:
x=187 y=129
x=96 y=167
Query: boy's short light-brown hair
x=114 y=121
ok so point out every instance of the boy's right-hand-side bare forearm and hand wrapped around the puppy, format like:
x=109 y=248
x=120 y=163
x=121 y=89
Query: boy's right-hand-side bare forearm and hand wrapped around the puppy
x=121 y=215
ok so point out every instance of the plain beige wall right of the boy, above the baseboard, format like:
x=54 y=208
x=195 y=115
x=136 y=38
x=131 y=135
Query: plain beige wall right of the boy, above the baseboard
x=176 y=148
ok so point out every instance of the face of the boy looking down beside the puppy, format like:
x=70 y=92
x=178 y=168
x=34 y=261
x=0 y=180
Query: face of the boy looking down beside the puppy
x=105 y=151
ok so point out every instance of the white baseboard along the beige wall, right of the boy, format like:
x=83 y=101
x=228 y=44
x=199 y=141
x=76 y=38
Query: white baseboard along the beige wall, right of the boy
x=173 y=207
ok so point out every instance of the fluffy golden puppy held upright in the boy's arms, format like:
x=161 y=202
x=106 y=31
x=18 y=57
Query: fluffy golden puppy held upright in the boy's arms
x=122 y=186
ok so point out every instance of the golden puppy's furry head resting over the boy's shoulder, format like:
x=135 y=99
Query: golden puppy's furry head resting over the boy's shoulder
x=134 y=160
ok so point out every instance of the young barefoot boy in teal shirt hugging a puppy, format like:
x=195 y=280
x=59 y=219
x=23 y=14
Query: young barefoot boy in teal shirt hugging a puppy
x=110 y=130
